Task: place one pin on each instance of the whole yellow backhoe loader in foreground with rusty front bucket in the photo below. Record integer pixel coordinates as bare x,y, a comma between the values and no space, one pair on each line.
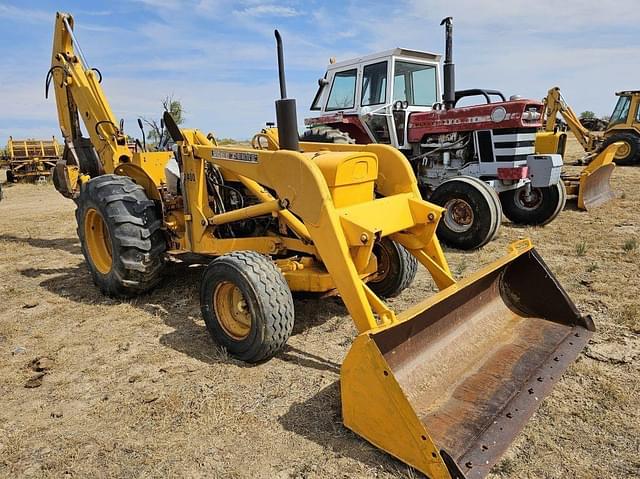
444,386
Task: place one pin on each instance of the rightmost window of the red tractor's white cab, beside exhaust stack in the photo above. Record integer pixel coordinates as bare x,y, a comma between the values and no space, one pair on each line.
415,83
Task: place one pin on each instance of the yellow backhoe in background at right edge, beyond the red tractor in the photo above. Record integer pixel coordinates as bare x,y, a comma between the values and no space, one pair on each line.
620,142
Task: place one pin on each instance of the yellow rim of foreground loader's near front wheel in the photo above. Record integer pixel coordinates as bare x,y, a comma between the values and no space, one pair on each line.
231,310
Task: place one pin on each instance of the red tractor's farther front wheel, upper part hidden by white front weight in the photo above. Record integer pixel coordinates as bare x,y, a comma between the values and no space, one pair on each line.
535,208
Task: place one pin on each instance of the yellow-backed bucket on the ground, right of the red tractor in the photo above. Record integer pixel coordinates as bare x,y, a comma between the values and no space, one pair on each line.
592,186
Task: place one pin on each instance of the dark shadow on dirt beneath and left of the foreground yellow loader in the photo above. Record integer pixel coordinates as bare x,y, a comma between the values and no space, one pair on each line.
176,302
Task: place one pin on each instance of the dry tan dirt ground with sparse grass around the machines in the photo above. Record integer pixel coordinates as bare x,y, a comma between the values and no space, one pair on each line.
138,388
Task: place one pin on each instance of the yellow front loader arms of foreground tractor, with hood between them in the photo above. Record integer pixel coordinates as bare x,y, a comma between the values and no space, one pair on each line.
342,222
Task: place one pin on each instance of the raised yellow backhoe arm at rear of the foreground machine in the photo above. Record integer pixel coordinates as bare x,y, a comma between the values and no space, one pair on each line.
79,95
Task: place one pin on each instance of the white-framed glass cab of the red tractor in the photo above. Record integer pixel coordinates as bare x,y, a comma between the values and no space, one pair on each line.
376,94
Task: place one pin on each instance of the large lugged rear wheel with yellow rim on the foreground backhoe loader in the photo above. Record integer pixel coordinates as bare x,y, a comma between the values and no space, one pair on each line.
120,235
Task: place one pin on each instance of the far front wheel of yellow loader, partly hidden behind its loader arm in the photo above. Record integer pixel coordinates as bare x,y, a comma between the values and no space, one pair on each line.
396,269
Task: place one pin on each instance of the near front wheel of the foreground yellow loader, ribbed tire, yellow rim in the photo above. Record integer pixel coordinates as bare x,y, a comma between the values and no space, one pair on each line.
247,305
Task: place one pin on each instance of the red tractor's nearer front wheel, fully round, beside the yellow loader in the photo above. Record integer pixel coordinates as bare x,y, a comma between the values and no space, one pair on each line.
472,216
